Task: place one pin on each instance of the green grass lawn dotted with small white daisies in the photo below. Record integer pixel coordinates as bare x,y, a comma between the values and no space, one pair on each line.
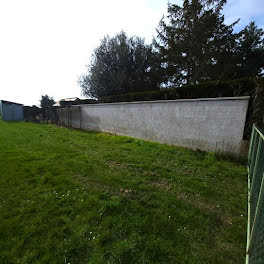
69,196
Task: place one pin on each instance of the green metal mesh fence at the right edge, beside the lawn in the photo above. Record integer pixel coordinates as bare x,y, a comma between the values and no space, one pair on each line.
255,232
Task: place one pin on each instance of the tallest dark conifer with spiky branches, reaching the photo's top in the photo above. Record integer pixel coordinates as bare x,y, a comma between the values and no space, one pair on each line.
194,43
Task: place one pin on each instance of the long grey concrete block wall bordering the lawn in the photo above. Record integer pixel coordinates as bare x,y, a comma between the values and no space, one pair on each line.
208,124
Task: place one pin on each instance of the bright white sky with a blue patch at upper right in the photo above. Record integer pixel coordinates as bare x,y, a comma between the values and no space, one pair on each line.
45,44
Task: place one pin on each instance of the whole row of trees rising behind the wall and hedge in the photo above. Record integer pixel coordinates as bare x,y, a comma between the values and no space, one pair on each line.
193,45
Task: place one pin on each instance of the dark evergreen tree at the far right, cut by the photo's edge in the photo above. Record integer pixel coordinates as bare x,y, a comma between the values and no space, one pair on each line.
250,52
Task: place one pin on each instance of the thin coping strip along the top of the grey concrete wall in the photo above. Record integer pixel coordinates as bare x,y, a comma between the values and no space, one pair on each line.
171,101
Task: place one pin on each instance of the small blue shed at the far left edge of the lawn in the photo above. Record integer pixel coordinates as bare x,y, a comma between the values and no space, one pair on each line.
11,111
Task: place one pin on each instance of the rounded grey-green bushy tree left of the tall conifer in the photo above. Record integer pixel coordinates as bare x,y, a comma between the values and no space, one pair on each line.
119,65
